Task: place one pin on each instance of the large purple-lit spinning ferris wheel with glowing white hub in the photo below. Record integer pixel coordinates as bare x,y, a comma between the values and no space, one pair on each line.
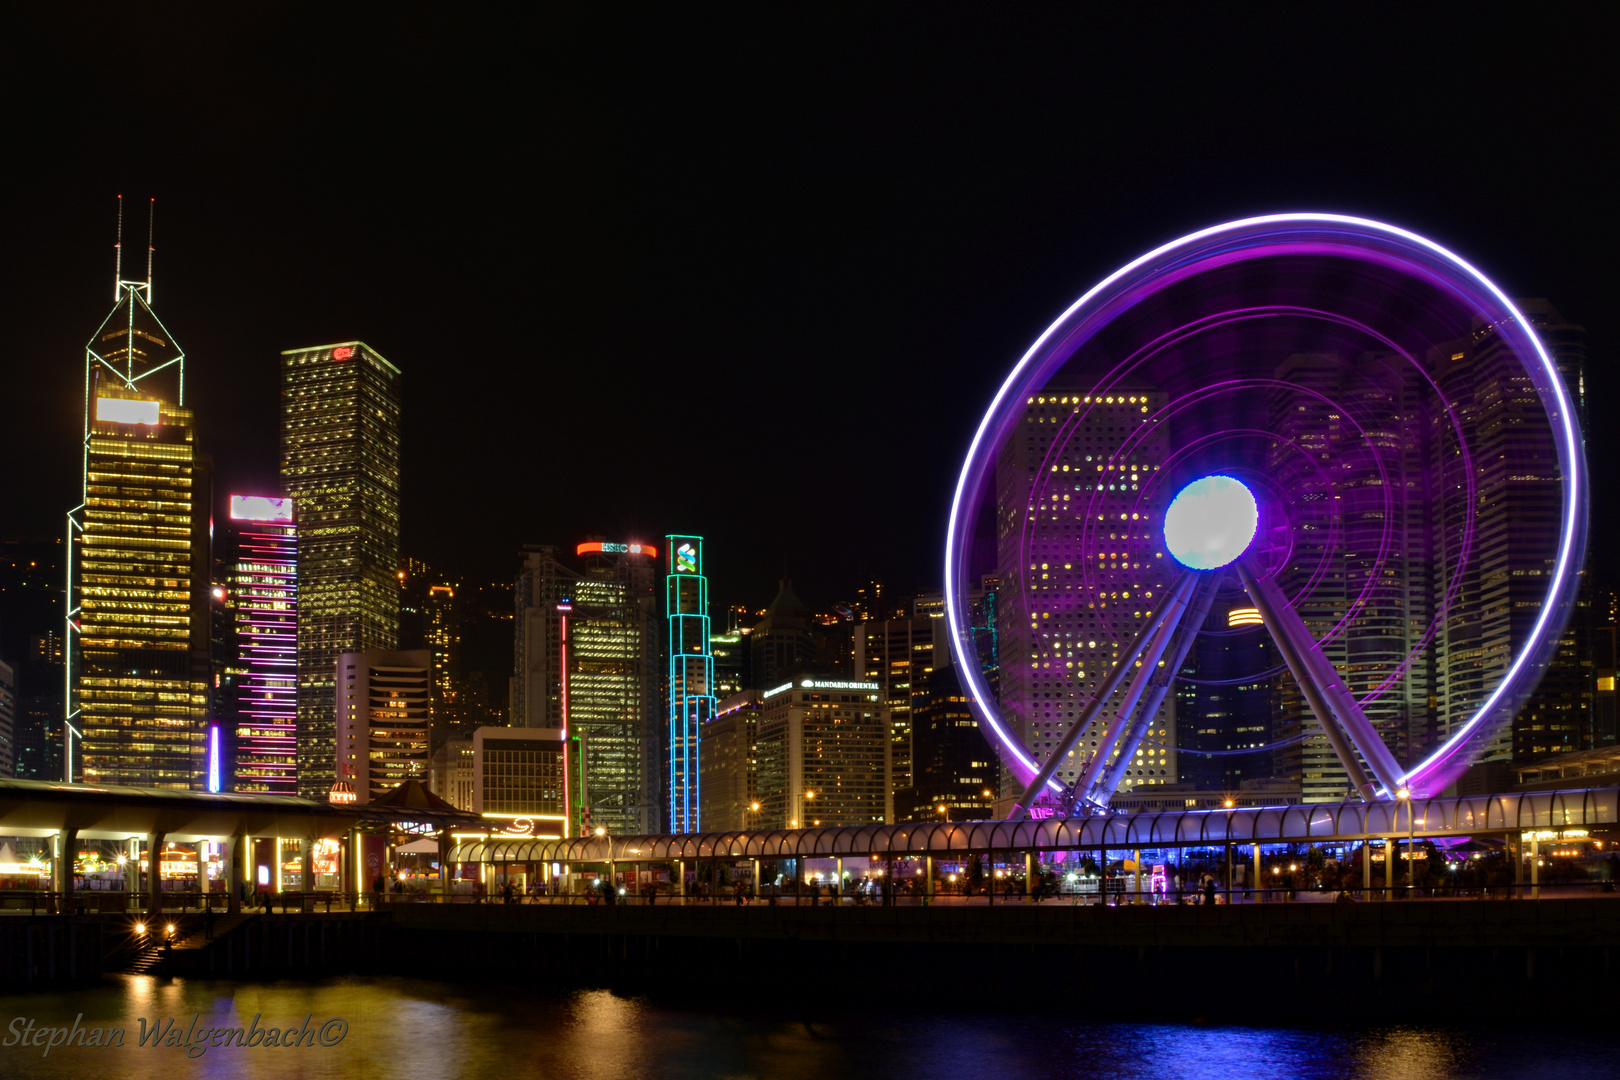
1324,425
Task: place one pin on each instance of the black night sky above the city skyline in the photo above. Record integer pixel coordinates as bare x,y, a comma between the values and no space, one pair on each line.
738,273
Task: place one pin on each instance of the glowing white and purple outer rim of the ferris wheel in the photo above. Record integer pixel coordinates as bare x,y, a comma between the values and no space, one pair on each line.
1572,464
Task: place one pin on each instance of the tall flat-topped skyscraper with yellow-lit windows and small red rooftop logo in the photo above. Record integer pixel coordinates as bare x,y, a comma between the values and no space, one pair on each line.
341,466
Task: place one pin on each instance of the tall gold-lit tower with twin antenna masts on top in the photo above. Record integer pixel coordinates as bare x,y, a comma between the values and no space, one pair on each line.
139,561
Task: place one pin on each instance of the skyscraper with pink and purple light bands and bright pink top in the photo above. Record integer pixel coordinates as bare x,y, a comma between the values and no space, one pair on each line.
257,686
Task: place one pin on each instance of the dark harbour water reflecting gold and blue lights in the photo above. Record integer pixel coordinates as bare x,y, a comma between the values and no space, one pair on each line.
406,1029
